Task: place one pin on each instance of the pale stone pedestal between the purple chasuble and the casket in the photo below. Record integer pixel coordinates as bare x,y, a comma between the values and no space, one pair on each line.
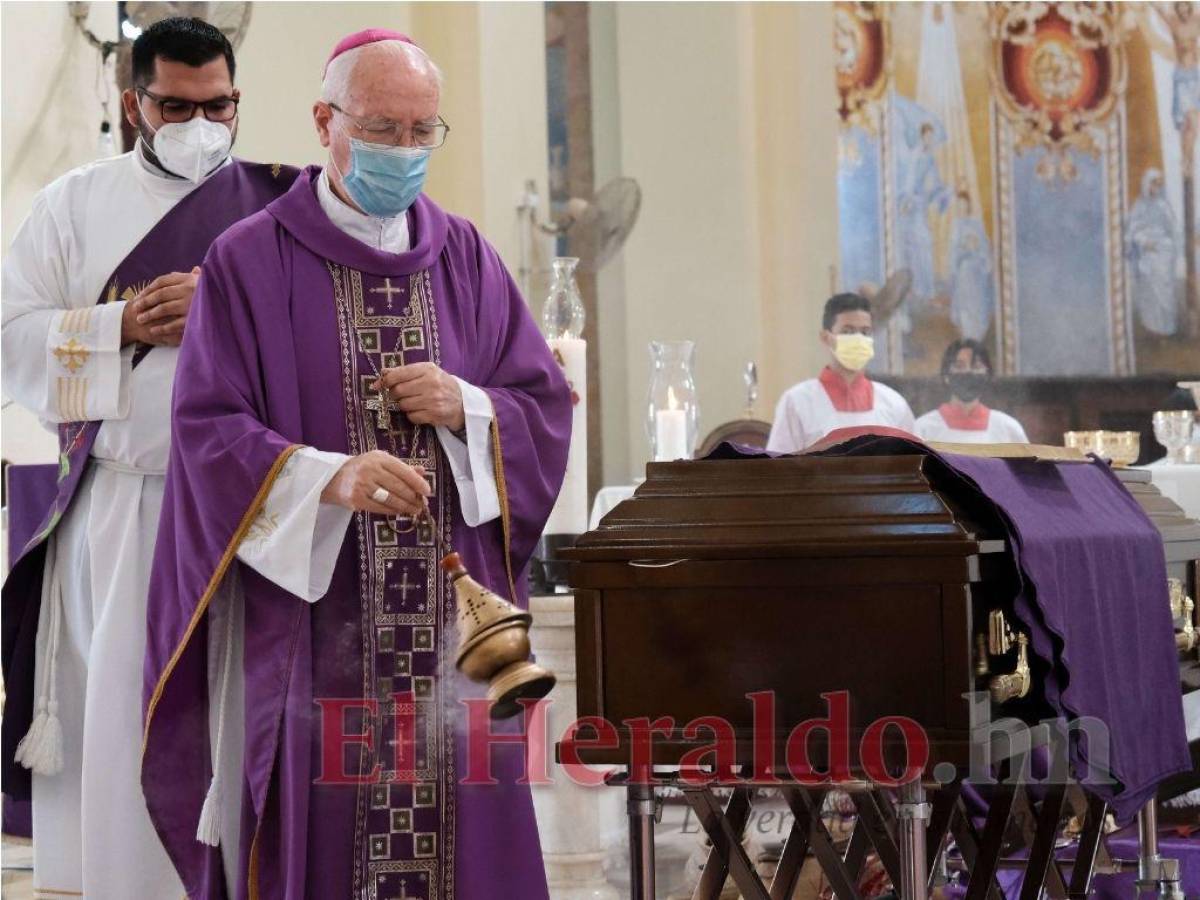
569,817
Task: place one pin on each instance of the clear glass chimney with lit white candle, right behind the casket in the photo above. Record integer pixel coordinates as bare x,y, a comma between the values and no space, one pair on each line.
673,411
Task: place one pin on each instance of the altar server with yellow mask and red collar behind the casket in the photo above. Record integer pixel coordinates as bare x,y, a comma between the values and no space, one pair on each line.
842,395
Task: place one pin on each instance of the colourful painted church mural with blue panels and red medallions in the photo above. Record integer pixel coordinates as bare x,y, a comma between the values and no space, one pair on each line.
1023,175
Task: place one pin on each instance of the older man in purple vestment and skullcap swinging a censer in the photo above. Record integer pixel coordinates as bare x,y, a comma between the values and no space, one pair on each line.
361,375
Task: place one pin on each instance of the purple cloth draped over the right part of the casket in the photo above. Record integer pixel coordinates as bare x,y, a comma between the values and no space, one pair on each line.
1094,599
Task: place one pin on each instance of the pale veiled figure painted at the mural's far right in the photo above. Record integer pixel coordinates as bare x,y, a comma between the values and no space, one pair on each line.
1151,250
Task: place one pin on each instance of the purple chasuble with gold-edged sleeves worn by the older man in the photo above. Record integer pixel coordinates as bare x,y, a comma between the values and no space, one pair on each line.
291,322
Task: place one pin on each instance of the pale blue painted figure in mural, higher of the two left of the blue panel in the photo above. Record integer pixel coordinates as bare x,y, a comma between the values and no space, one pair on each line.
922,191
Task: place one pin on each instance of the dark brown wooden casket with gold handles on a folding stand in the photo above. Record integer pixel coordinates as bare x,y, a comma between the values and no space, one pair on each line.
872,578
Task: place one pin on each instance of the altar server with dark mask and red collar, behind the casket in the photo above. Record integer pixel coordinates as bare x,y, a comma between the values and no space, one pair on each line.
964,419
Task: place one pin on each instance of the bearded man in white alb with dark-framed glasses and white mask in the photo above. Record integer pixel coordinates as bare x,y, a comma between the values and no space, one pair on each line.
98,291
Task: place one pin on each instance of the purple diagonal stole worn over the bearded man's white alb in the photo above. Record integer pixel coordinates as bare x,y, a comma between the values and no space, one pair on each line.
177,243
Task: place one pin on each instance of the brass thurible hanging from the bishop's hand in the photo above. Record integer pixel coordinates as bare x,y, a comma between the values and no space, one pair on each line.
494,645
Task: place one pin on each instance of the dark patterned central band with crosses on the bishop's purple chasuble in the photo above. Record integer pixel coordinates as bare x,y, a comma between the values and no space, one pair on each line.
404,613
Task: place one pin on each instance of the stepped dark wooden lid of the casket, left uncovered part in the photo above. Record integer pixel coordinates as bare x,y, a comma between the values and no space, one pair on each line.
795,506
